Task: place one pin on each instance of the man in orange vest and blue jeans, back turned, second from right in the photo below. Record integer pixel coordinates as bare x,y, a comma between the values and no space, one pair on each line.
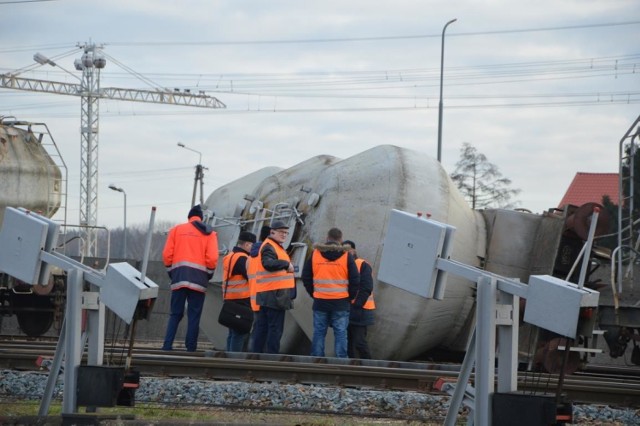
331,277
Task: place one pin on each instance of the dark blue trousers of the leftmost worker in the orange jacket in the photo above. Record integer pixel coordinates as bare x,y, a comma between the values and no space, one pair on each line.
194,300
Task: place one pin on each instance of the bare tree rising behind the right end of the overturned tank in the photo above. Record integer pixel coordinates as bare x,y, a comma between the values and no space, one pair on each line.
481,182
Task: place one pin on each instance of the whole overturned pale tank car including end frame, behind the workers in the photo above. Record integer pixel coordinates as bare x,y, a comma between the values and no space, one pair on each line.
357,195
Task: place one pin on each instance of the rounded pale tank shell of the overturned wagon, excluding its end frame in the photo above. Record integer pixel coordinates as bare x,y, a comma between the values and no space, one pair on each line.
356,195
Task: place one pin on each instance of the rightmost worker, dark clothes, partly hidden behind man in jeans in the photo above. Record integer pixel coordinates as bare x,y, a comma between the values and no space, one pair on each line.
361,317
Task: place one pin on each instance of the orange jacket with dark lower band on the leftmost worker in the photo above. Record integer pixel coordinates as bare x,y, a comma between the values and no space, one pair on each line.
190,255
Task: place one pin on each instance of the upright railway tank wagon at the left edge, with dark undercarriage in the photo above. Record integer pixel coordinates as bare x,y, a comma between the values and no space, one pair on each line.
32,179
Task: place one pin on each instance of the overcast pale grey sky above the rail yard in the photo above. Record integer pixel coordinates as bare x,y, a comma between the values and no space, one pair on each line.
544,89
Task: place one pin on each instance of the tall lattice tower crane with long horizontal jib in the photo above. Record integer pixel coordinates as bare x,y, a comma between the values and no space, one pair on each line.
88,89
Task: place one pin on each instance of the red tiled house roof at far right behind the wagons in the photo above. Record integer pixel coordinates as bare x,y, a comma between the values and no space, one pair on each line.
590,187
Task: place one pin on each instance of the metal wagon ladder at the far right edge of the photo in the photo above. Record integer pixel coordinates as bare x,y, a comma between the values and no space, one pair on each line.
627,249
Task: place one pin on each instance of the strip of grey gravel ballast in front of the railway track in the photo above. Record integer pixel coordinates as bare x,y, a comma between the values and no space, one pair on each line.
316,398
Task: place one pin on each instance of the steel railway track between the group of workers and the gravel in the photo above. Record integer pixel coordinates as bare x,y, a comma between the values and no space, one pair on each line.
595,385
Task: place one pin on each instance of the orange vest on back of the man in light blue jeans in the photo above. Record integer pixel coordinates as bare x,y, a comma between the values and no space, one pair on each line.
330,277
